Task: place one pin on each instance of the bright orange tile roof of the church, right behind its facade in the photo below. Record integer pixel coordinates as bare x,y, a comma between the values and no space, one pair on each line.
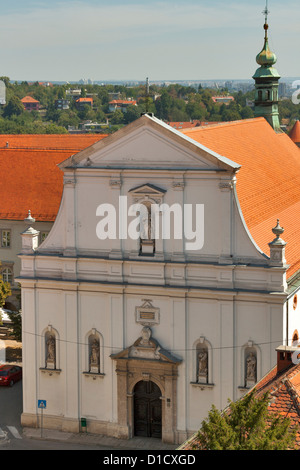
268,183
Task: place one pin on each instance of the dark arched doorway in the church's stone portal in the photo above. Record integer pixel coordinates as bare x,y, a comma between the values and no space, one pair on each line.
147,410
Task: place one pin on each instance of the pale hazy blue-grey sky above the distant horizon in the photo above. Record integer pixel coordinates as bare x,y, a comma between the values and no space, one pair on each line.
68,40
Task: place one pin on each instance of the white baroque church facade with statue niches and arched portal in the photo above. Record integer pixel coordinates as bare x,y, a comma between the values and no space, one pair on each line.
142,337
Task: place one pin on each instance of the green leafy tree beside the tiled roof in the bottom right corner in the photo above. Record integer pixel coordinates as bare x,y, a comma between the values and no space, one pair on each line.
246,425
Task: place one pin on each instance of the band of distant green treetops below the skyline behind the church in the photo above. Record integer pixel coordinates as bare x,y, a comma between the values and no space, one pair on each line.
170,103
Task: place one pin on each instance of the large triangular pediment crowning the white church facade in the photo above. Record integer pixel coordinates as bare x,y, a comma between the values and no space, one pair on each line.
148,143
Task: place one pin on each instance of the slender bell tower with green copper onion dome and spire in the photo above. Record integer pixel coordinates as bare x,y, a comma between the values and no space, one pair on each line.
266,82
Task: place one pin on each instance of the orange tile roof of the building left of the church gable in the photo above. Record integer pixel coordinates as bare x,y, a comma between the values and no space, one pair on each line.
31,179
